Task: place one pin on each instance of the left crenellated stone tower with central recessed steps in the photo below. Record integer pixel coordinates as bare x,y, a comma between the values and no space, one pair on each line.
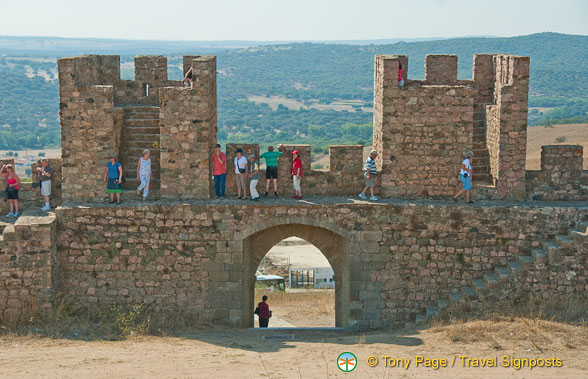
102,114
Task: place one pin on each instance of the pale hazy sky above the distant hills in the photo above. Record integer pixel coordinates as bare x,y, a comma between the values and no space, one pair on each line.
289,20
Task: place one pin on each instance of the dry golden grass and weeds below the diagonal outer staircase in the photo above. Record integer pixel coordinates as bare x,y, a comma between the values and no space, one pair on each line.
544,324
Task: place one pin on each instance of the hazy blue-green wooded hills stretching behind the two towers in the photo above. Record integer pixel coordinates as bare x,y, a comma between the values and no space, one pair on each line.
327,88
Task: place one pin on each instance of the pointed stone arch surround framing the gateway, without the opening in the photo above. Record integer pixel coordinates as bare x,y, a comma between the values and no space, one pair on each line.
259,239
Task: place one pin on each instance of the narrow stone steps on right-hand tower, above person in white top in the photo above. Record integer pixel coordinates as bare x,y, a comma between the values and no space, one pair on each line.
481,163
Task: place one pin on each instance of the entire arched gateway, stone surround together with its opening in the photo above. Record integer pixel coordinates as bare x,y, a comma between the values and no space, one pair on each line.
331,246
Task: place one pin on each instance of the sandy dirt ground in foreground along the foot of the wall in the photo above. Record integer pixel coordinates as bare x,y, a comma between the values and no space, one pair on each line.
223,353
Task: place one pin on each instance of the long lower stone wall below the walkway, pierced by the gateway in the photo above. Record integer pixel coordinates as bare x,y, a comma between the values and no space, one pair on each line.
393,261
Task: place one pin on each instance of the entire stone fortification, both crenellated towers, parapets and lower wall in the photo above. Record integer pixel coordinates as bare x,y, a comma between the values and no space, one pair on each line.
395,262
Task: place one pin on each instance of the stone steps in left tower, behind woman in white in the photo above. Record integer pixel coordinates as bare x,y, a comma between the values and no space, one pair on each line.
140,131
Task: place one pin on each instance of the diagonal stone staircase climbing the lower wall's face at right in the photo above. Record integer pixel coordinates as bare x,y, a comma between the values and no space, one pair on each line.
493,283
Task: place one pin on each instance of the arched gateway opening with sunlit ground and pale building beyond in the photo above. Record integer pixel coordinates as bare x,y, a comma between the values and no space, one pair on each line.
299,283
